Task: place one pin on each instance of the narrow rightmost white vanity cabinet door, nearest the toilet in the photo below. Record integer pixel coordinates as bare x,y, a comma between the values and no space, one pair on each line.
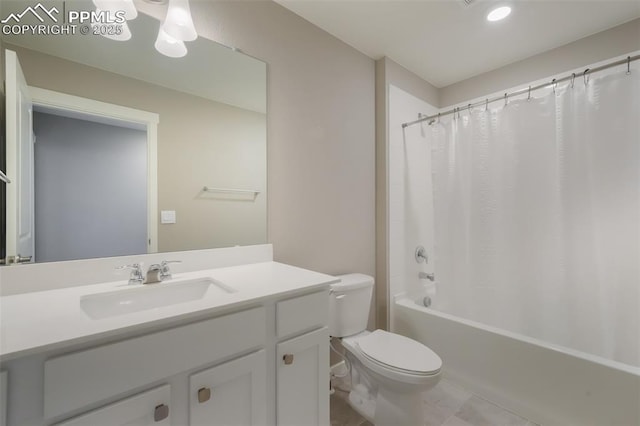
303,380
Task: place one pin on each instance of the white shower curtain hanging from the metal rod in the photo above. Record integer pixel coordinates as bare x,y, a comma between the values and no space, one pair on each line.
537,215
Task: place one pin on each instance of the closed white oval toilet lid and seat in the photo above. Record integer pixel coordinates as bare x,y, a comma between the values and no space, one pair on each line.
399,353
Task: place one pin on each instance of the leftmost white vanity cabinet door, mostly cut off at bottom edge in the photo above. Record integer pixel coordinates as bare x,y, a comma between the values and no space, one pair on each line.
144,409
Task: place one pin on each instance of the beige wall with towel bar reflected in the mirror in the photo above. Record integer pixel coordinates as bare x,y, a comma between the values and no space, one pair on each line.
200,142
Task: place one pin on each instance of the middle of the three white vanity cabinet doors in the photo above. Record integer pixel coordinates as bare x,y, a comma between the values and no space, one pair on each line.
230,394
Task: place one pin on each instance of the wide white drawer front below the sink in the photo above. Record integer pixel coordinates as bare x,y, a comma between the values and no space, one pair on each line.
78,379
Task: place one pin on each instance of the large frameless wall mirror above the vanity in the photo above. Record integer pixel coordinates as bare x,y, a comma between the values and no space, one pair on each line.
133,151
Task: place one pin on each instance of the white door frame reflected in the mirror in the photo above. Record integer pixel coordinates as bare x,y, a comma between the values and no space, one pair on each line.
109,113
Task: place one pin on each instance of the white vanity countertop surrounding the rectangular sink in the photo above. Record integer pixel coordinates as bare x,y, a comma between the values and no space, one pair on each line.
36,322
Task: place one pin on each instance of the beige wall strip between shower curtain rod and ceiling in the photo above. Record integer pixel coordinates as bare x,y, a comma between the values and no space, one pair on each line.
598,47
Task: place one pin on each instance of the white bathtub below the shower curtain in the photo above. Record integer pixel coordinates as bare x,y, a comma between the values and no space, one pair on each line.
548,384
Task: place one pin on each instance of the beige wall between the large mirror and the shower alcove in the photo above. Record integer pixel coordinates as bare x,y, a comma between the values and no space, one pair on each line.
321,133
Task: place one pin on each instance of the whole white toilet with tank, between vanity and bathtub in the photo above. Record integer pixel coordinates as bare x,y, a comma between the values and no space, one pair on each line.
389,372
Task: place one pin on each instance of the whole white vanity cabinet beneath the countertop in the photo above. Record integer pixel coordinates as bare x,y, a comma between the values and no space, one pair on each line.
263,363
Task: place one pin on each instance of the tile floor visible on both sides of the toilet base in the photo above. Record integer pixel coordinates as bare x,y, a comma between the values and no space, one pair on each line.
445,405
